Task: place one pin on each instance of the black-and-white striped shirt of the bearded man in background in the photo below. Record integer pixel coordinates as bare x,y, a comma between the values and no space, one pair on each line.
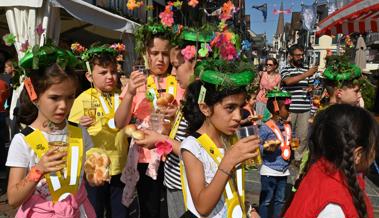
300,98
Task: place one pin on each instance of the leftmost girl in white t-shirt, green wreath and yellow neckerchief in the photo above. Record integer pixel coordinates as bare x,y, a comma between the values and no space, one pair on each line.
46,158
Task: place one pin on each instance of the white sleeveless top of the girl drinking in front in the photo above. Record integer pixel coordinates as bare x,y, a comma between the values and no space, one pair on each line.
210,168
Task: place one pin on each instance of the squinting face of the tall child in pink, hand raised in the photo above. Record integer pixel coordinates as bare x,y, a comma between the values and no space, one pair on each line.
159,56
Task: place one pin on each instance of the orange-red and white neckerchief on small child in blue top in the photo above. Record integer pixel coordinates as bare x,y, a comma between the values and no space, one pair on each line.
284,142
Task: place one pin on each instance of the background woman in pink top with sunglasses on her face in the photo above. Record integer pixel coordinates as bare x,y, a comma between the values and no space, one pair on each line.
269,79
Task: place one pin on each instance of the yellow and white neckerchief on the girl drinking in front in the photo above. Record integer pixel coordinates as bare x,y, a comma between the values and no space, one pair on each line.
235,201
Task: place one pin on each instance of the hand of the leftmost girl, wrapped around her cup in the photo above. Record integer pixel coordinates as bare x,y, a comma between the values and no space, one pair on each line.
51,161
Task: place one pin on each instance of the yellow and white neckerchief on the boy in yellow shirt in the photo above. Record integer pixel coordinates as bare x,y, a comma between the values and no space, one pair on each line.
108,109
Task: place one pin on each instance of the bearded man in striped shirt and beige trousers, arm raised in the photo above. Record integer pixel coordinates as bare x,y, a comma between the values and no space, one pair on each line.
295,79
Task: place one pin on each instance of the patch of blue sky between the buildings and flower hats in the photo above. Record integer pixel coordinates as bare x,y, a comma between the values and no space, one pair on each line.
256,17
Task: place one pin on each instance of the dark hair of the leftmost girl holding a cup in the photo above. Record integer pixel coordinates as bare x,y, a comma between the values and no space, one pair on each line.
41,79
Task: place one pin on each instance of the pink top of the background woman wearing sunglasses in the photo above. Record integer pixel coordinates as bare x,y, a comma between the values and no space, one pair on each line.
267,82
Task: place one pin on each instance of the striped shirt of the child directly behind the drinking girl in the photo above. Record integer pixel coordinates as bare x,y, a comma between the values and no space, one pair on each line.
172,167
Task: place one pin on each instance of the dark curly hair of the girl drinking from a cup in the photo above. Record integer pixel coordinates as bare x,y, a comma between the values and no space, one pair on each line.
191,110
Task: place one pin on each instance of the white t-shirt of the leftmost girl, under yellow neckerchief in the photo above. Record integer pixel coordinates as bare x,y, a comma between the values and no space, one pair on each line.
21,155
